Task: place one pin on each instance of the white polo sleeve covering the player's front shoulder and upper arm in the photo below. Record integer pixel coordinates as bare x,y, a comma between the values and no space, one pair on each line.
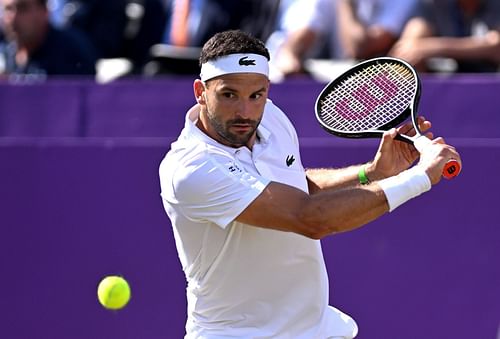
214,188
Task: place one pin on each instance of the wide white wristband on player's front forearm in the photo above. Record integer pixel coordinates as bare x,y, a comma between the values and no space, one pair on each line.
405,186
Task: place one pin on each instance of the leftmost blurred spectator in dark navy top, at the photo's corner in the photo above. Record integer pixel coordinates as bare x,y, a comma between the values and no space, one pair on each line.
33,46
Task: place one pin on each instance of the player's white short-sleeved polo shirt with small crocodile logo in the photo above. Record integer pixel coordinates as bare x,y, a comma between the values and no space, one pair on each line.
244,281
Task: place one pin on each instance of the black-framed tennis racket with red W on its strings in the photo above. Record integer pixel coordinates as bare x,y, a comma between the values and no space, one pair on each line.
372,97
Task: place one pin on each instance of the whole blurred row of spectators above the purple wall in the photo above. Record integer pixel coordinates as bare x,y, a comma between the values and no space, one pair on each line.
107,39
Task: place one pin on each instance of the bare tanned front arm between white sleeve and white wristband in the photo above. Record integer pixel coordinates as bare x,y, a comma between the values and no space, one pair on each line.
285,208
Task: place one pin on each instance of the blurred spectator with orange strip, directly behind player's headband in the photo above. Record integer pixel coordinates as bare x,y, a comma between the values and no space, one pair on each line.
191,23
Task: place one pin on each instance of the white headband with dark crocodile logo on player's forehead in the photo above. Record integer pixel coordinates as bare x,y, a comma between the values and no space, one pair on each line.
235,63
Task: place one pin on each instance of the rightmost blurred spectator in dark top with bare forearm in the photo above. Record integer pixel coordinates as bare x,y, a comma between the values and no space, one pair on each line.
453,35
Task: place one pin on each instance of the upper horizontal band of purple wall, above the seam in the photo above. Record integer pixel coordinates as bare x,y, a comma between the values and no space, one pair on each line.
154,108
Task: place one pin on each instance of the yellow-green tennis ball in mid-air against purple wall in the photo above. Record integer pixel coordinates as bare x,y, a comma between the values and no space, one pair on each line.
113,292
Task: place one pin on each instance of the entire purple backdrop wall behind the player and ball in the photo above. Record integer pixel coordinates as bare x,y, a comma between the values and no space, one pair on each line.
76,209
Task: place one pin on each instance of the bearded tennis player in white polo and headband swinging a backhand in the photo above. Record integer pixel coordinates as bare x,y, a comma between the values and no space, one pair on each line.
247,217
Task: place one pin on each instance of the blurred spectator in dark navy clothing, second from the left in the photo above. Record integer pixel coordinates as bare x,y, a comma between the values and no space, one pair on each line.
118,28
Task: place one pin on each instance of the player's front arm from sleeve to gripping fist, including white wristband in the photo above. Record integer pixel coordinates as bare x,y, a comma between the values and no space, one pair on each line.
337,208
